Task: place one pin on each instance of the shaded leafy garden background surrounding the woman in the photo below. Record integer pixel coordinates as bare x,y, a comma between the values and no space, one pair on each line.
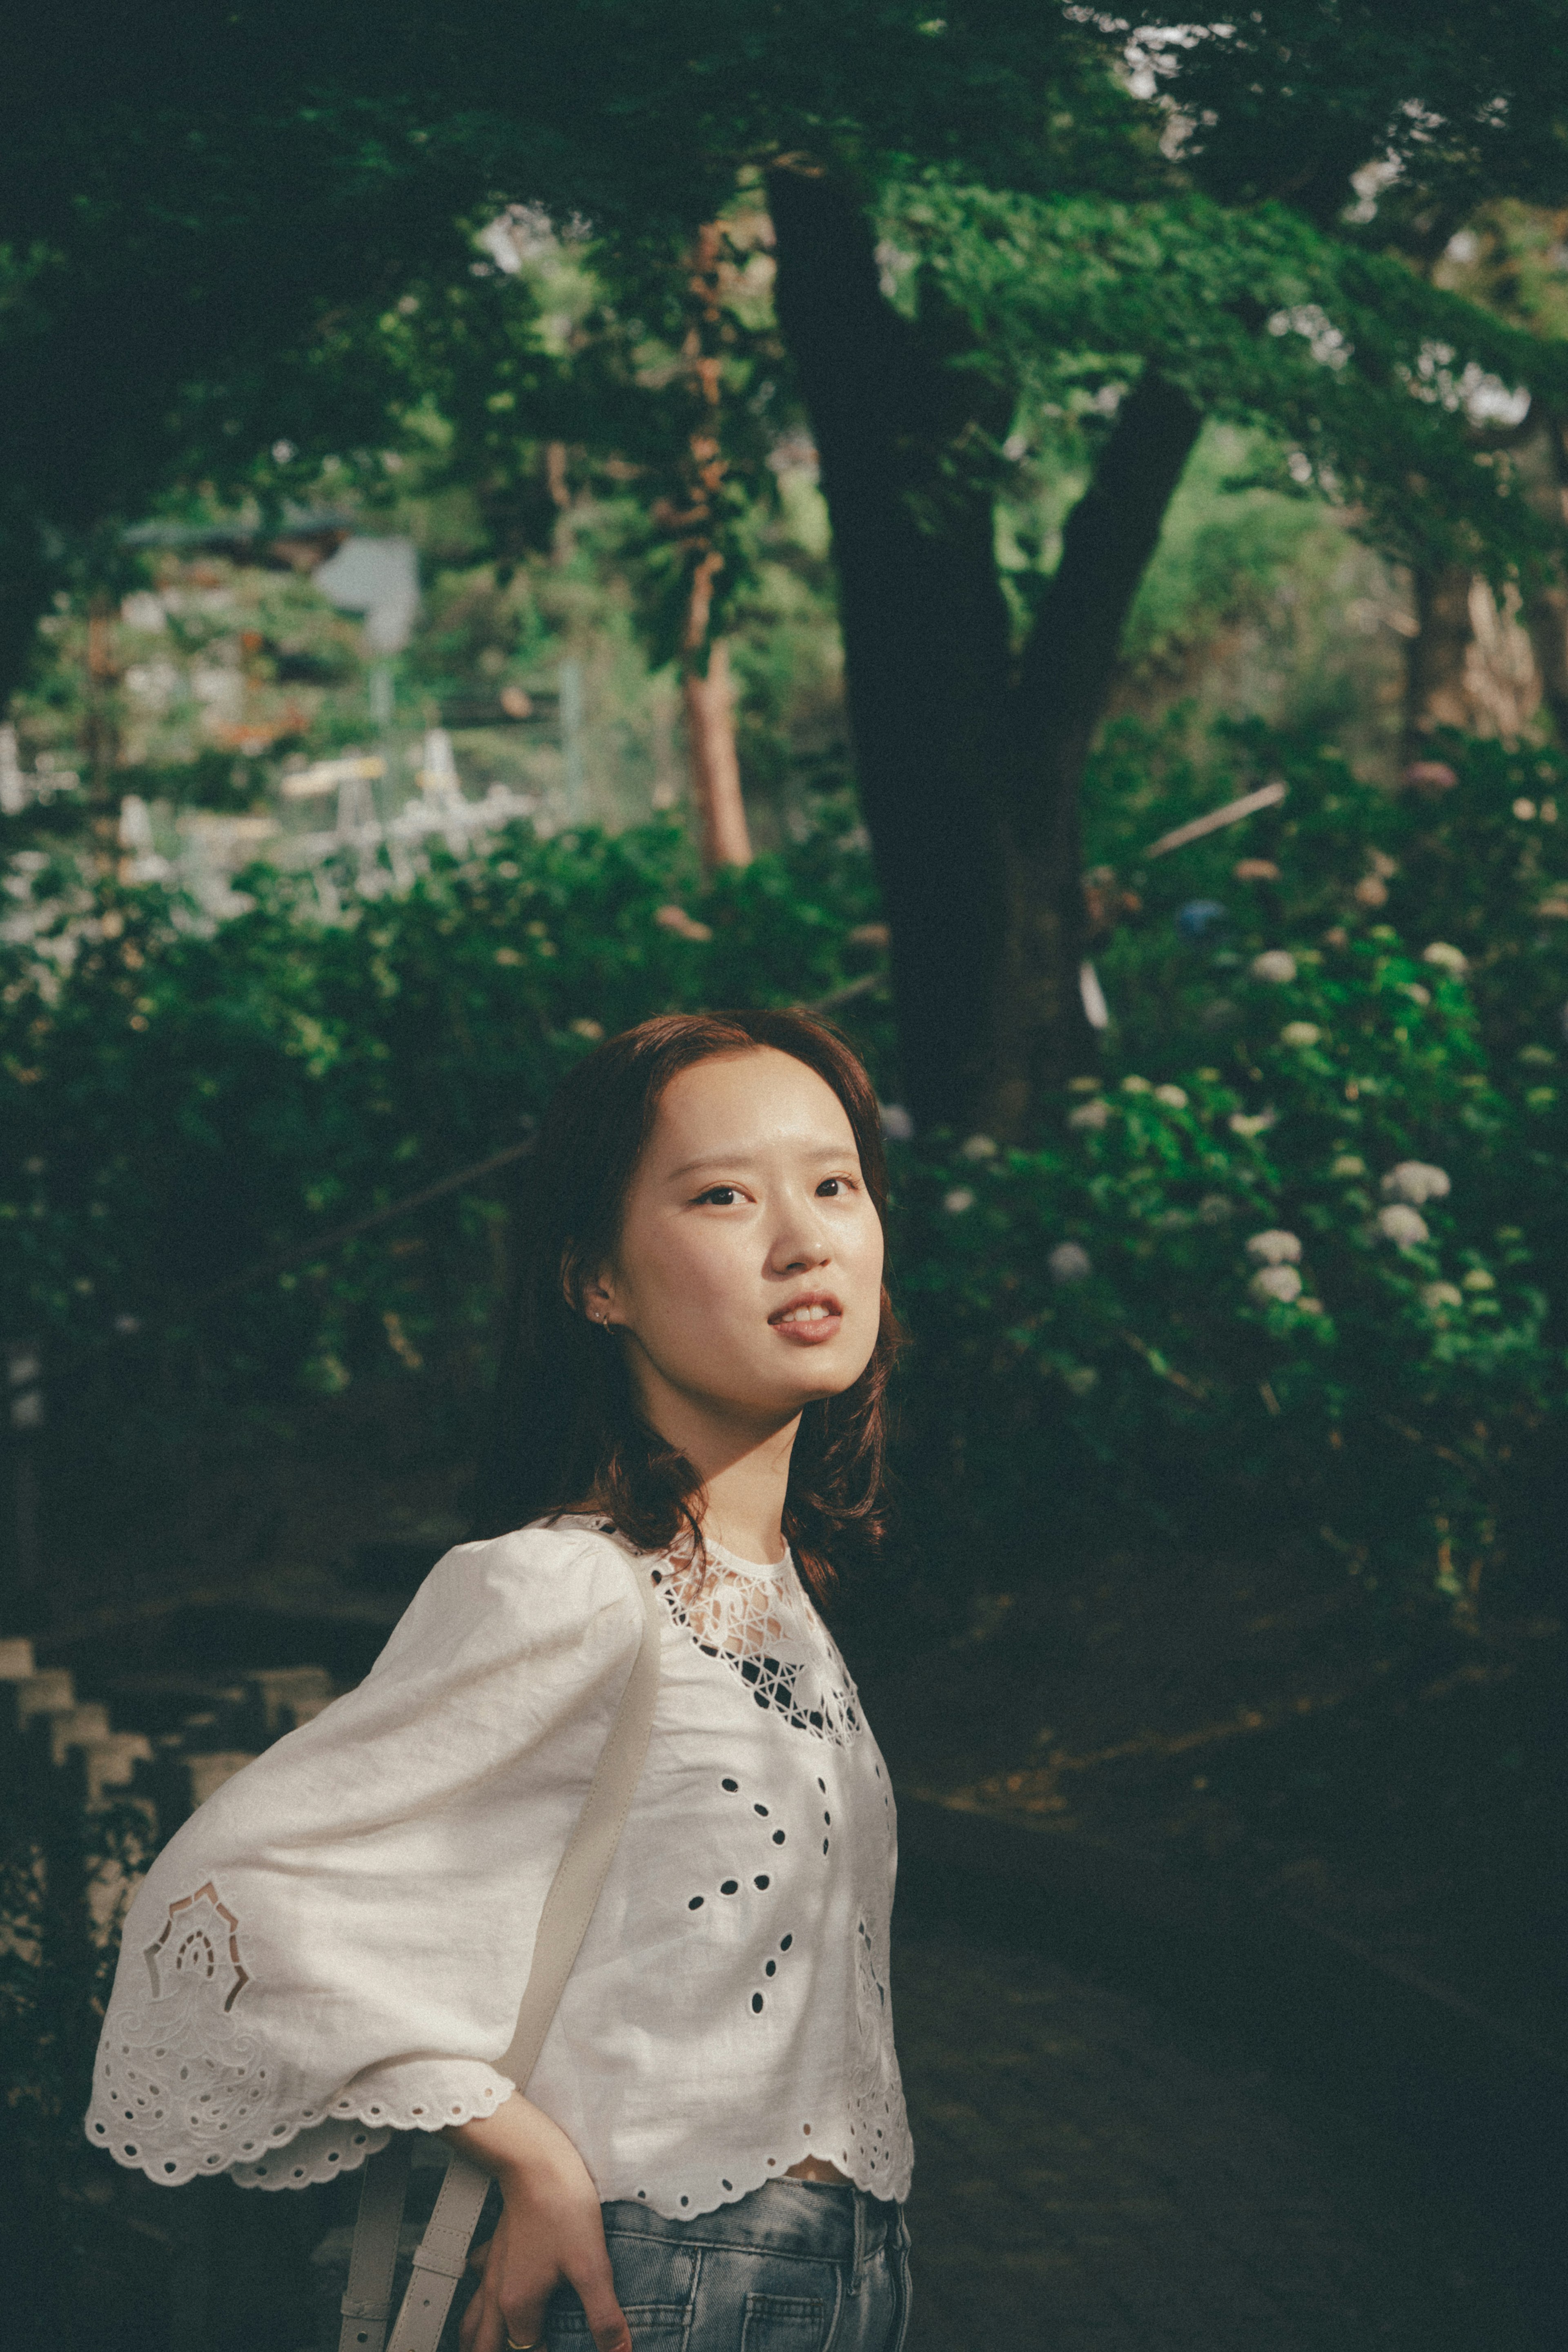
1045,542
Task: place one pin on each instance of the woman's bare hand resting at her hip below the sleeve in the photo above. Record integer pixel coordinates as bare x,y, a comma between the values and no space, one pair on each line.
551,2231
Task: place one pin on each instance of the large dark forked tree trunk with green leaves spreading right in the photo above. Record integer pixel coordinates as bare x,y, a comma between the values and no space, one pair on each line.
1249,281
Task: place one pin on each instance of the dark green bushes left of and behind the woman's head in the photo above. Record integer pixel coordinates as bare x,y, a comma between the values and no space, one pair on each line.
185,1104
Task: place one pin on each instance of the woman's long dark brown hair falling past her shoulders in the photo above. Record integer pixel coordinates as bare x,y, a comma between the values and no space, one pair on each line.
565,1426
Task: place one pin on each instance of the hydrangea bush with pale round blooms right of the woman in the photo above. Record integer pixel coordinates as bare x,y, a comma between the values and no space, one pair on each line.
1292,1259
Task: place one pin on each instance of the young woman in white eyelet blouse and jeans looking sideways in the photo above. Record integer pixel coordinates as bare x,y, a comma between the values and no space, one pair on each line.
713,2149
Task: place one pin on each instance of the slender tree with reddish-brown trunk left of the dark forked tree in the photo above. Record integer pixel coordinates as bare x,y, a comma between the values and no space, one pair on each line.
558,366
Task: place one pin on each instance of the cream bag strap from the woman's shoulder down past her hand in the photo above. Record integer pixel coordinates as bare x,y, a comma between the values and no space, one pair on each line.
570,1906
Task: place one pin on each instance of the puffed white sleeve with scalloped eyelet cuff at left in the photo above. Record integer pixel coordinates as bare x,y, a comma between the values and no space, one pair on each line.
335,1946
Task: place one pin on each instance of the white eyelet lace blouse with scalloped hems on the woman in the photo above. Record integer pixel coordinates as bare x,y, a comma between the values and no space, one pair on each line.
337,1942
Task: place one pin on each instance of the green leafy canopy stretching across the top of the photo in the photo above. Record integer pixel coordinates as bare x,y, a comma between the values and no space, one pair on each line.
279,250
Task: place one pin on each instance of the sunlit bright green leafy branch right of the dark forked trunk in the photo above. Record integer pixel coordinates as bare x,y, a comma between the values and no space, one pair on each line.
1266,321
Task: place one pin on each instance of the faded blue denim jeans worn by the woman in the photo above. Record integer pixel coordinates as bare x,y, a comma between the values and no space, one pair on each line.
798,2266
